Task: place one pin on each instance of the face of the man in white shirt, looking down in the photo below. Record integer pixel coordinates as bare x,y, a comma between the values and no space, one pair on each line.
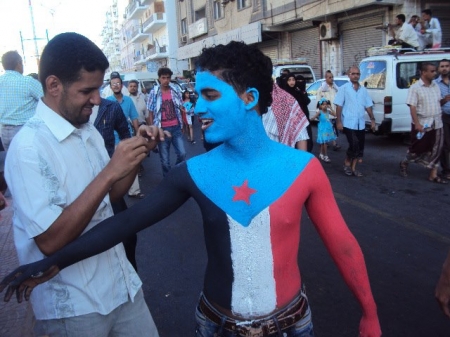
77,99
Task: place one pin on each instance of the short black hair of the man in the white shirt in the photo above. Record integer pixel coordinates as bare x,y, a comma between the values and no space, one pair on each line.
67,54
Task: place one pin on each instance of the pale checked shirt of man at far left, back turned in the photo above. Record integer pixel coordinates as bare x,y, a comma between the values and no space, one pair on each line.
19,96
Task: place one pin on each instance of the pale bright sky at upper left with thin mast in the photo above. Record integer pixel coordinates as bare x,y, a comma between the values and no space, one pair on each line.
86,17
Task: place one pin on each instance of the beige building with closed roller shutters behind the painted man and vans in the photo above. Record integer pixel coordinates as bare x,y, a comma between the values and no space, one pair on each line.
328,34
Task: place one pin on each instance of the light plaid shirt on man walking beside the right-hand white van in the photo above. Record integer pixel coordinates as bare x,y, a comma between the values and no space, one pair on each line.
426,99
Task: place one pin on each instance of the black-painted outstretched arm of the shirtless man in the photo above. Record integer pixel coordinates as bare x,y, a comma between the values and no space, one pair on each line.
163,201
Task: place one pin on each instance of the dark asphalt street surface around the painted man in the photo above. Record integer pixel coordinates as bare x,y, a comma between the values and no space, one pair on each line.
400,223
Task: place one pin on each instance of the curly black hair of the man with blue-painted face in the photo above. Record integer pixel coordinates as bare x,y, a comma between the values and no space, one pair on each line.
242,66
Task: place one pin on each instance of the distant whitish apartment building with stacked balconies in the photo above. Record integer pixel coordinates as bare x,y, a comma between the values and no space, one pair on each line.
139,37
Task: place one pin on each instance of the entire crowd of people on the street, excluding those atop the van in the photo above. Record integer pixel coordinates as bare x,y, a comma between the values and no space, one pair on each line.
70,236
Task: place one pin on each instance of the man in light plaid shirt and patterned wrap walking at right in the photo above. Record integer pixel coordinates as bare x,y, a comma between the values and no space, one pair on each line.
427,134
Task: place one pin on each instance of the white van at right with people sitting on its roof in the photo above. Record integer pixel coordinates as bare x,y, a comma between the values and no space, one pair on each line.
387,75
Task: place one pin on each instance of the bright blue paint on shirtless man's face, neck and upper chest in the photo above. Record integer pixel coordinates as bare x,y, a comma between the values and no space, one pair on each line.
246,157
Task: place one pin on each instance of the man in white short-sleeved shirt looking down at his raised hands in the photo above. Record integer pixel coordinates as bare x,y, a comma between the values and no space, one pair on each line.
63,181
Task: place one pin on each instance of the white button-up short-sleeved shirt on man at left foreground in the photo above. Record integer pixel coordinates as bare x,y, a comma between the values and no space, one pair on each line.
49,164
